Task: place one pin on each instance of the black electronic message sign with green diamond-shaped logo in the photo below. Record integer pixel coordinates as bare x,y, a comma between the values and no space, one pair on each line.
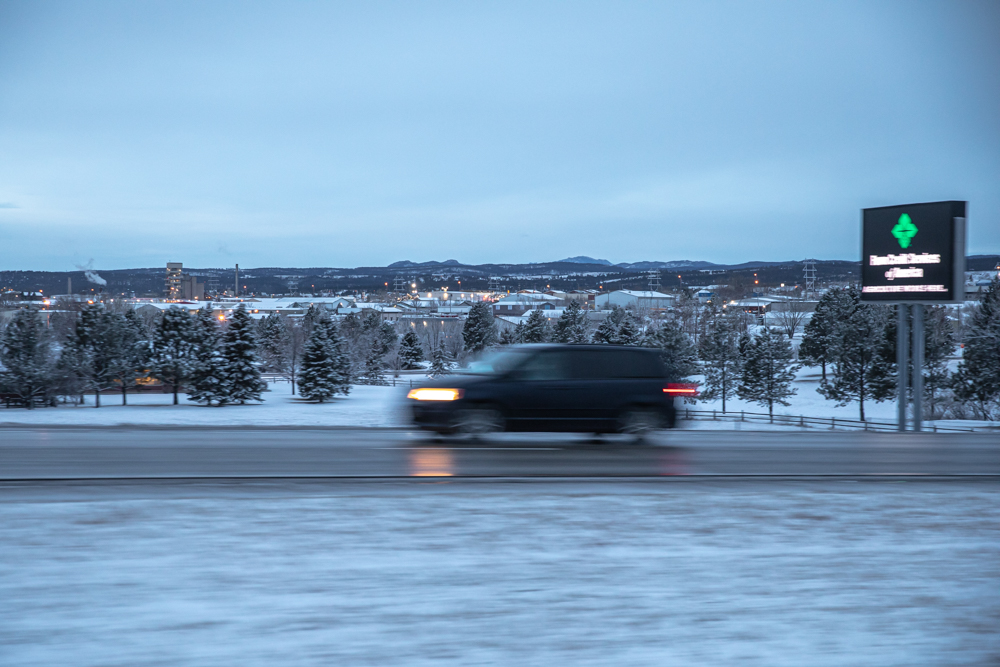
914,253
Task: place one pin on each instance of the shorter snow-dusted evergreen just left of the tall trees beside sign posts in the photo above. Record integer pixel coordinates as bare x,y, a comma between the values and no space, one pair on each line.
767,371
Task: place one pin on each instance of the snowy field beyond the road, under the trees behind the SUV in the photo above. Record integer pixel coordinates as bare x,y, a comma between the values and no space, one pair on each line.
381,407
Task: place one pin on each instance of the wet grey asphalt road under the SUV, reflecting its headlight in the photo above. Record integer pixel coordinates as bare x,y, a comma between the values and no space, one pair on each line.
120,453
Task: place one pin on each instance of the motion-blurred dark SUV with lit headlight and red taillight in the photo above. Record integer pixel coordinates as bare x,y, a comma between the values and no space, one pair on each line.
574,388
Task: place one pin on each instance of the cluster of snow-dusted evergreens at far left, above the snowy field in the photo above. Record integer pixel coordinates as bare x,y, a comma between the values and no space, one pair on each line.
104,350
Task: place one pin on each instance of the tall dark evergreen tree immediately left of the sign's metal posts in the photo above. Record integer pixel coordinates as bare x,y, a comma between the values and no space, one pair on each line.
862,355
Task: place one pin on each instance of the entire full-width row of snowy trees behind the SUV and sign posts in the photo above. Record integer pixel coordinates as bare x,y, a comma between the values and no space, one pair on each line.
852,343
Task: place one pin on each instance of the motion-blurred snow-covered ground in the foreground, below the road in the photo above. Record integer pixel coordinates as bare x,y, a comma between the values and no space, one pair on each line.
680,573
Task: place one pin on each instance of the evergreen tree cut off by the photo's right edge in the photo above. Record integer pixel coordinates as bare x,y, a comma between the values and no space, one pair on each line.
977,380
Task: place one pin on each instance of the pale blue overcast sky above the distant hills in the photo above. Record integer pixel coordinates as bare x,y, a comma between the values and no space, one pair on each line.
362,133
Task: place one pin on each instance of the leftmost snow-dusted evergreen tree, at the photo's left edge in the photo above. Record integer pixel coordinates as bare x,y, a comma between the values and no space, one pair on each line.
26,367
